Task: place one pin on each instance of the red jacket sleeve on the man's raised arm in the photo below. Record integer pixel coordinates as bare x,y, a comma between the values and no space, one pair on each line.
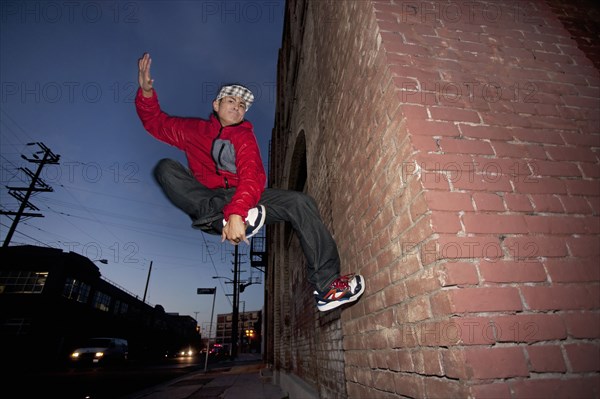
168,129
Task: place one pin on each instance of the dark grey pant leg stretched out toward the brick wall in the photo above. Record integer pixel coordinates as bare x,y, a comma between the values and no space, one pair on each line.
317,243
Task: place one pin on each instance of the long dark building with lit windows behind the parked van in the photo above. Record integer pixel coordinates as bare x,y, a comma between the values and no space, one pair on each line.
51,301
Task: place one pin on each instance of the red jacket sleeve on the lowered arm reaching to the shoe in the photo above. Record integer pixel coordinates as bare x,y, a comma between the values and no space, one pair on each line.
251,177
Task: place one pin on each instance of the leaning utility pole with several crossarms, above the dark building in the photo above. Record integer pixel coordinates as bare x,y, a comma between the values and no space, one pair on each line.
36,185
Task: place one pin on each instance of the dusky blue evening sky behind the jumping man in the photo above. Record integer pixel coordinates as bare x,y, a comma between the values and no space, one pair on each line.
68,75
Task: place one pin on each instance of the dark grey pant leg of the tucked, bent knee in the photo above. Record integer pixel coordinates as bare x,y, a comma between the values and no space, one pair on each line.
203,205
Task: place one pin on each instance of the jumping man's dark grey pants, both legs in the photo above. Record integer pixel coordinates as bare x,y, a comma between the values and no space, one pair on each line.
205,207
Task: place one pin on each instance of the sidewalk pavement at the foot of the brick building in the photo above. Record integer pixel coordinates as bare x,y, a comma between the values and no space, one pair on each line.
247,378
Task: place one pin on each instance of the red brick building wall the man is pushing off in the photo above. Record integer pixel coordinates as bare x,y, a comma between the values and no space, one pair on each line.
453,150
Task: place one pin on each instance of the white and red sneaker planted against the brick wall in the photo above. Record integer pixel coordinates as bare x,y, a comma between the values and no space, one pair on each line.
343,290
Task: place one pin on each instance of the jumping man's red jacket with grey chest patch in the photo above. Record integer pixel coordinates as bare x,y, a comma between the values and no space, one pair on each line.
219,157
